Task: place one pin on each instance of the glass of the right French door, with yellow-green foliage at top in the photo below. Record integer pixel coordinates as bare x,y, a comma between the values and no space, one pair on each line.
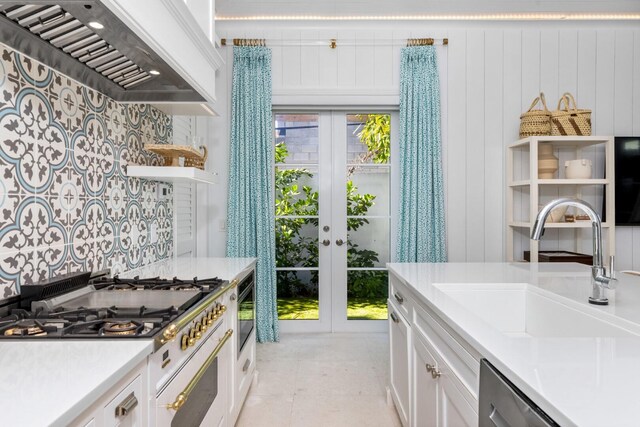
368,182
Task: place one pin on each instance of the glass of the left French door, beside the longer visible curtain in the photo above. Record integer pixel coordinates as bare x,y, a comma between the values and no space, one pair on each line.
297,208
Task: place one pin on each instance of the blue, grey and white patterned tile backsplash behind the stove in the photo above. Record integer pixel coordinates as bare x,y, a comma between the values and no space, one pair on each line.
65,202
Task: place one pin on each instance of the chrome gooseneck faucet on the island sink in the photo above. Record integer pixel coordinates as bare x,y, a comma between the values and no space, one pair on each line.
599,278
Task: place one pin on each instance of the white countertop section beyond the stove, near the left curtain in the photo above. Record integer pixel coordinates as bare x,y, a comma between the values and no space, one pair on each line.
188,268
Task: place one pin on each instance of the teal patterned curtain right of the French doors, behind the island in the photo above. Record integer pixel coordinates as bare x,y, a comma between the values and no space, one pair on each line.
421,230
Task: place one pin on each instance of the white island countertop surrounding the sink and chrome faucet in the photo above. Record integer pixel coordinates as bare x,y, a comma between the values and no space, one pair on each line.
577,381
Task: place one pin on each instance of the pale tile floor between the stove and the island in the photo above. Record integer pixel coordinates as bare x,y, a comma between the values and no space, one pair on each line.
332,380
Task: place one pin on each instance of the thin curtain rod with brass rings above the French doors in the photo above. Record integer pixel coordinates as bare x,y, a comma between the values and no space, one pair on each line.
333,43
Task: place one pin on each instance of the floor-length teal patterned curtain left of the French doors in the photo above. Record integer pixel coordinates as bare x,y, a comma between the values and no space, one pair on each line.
250,217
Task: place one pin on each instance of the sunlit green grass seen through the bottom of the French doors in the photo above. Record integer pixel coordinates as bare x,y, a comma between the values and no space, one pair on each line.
307,308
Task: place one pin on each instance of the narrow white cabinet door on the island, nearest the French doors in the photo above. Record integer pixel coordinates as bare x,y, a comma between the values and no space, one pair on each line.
399,341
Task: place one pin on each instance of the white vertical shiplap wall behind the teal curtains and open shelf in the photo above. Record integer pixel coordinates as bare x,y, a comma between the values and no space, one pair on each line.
490,73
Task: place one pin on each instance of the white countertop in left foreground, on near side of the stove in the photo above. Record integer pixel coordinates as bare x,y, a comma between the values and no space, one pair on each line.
51,382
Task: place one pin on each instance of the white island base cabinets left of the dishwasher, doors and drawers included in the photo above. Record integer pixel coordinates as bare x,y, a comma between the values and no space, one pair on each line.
434,376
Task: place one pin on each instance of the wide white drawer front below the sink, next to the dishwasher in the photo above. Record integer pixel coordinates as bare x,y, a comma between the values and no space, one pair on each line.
463,364
